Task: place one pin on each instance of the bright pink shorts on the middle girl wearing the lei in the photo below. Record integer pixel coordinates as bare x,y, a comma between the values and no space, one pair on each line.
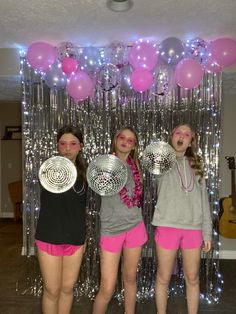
133,238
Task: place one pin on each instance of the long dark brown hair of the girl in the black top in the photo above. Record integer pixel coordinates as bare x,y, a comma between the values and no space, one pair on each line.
80,163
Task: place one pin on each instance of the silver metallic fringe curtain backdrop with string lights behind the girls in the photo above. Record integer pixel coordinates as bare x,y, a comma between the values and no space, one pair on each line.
152,114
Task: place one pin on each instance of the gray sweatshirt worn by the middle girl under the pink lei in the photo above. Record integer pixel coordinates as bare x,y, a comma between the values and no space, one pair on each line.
115,216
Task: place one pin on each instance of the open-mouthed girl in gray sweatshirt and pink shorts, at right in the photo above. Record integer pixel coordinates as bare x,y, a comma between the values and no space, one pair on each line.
183,220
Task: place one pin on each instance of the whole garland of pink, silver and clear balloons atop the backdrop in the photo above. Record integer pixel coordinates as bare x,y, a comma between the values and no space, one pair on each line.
81,69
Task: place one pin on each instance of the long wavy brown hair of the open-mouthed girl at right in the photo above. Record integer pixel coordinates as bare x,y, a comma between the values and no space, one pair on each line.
191,152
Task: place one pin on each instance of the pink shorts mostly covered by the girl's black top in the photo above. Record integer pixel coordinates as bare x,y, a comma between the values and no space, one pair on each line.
57,249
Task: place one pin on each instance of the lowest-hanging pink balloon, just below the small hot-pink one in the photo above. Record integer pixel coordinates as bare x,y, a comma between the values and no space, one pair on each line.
80,86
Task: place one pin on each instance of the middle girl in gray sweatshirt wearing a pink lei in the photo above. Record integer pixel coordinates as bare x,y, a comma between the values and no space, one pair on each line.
122,228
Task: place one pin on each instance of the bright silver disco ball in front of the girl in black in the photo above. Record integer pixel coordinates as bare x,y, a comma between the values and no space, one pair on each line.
57,174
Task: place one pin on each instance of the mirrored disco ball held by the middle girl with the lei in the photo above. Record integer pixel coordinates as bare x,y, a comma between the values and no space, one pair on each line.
107,175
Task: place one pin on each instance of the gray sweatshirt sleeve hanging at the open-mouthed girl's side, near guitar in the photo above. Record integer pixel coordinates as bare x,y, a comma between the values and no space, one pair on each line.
207,220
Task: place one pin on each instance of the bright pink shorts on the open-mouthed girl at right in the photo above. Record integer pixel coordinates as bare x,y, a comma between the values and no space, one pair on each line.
174,238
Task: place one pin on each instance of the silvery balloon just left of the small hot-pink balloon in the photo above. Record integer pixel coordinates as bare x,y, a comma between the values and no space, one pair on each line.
54,77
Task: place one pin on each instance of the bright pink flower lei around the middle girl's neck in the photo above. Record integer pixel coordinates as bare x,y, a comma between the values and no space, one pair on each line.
135,199
